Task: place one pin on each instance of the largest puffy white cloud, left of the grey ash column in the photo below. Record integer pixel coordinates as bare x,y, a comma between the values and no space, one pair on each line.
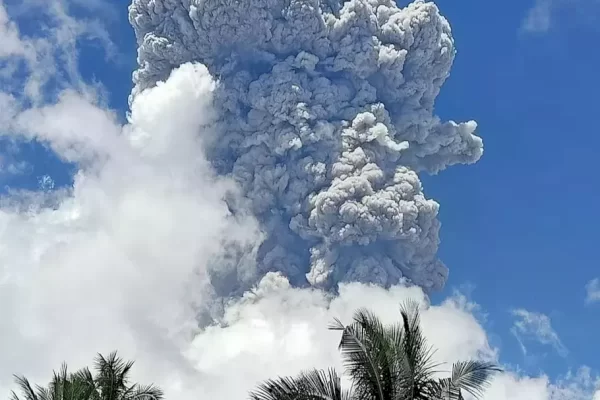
119,262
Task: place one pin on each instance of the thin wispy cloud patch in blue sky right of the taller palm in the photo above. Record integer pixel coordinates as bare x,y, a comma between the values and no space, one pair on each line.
538,327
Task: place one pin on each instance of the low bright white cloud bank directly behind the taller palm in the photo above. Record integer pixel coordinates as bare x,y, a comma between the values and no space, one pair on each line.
283,330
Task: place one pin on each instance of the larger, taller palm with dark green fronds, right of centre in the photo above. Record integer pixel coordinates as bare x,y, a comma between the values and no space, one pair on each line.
384,363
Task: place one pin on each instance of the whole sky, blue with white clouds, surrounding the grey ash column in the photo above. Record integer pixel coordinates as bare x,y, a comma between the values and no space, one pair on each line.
517,226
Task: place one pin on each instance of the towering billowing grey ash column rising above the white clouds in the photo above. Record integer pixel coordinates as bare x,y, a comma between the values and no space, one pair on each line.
326,116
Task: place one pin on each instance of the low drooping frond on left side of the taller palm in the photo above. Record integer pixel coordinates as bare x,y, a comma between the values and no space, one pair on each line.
309,385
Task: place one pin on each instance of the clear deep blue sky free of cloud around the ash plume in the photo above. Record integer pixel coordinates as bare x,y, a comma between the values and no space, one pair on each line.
518,227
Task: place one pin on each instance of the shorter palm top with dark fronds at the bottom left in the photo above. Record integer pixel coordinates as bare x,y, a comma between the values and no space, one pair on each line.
111,382
